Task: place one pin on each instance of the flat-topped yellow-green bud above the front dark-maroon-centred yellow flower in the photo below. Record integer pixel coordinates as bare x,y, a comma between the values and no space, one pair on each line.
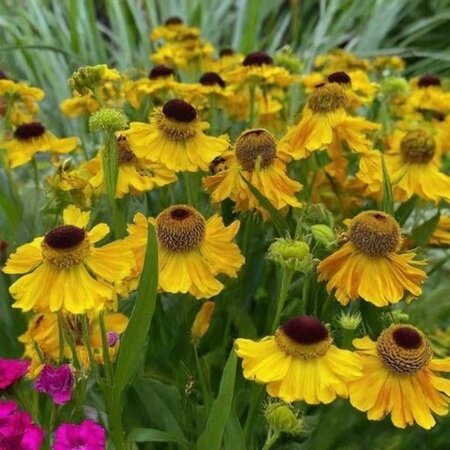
291,254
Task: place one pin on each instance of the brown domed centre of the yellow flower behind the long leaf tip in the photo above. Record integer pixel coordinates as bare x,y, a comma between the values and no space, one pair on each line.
180,228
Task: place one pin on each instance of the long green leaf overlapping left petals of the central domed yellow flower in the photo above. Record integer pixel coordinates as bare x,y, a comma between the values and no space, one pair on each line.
141,317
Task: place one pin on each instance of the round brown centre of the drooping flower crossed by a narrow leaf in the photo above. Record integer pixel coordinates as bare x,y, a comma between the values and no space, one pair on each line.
254,145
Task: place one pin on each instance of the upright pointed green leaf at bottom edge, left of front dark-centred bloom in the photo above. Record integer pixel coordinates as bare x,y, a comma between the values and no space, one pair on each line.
211,438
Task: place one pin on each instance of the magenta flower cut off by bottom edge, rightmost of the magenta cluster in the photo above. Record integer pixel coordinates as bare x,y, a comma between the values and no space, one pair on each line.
87,435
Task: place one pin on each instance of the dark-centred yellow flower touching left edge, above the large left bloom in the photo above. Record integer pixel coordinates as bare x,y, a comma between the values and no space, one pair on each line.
31,138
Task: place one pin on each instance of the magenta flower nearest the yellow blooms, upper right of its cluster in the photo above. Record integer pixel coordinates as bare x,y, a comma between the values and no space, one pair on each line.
56,382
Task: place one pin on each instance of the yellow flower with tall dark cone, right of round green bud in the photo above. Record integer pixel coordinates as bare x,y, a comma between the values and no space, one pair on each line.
175,138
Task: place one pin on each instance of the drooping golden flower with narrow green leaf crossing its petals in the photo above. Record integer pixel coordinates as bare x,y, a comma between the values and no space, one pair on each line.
256,159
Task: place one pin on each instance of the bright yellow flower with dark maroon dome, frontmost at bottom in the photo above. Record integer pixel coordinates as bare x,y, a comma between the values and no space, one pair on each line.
300,362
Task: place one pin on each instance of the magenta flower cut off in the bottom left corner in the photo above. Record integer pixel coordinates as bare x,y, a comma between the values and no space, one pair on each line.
17,431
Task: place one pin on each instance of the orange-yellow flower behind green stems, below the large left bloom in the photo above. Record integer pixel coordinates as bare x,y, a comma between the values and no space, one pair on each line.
43,334
